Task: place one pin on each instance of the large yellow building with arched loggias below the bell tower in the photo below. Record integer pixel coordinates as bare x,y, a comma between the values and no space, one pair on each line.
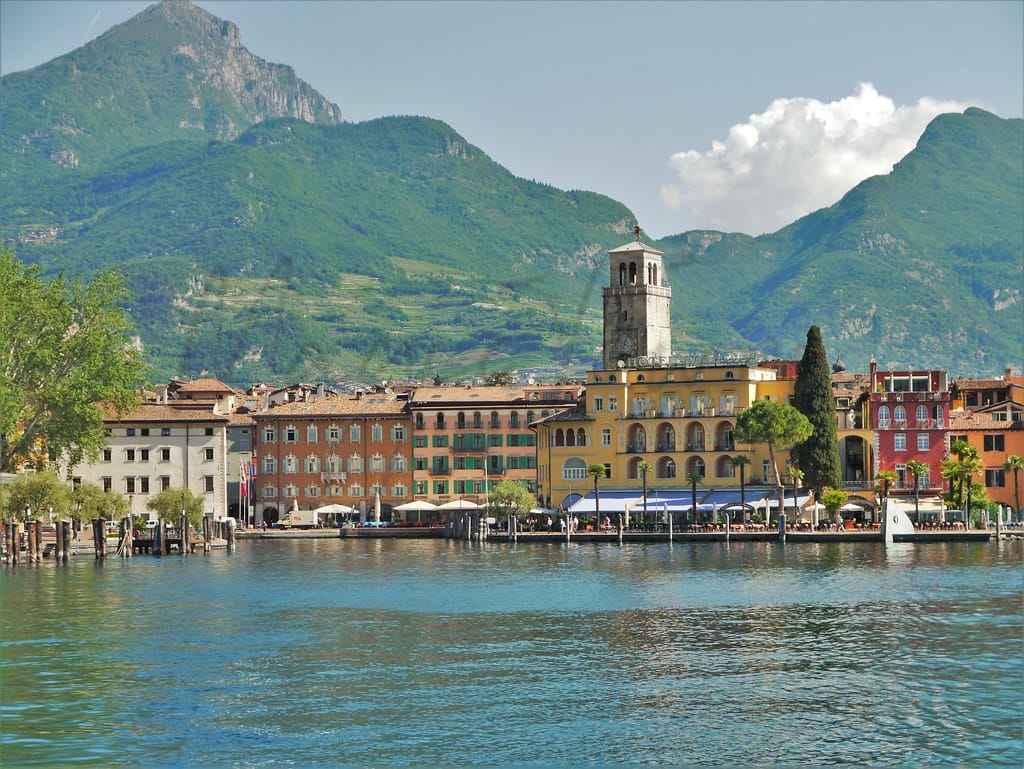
678,419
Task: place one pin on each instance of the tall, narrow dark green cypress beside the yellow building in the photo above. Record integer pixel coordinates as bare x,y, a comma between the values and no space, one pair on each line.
813,396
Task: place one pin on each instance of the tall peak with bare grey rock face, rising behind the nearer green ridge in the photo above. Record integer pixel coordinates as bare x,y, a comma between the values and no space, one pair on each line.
173,72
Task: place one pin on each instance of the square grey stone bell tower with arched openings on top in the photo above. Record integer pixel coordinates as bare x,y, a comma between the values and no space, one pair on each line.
637,305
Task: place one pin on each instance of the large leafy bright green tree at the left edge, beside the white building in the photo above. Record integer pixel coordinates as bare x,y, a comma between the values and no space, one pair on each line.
65,354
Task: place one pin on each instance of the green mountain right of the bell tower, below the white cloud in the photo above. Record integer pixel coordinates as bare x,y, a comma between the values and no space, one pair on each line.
923,267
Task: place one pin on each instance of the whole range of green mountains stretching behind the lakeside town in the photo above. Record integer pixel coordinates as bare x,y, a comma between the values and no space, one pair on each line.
266,238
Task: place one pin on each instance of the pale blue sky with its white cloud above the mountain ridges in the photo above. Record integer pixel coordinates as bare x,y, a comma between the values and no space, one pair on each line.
736,116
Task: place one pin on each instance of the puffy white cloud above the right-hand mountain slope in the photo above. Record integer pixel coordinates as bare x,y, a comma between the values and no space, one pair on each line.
796,157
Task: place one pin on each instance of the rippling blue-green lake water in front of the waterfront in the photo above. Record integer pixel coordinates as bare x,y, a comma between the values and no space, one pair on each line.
435,654
